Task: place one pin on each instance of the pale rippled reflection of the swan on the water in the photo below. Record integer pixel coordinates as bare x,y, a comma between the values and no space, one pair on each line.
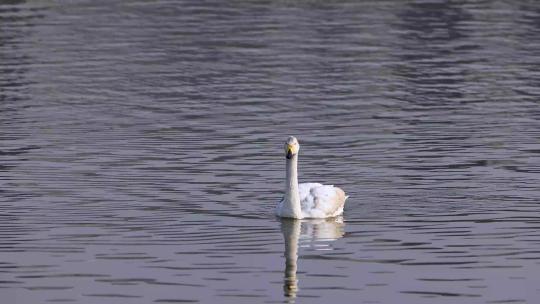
314,233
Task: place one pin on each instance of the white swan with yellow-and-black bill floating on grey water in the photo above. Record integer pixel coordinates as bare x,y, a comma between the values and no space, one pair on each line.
307,200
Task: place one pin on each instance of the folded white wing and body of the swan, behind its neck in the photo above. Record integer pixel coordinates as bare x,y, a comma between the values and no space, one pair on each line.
321,201
